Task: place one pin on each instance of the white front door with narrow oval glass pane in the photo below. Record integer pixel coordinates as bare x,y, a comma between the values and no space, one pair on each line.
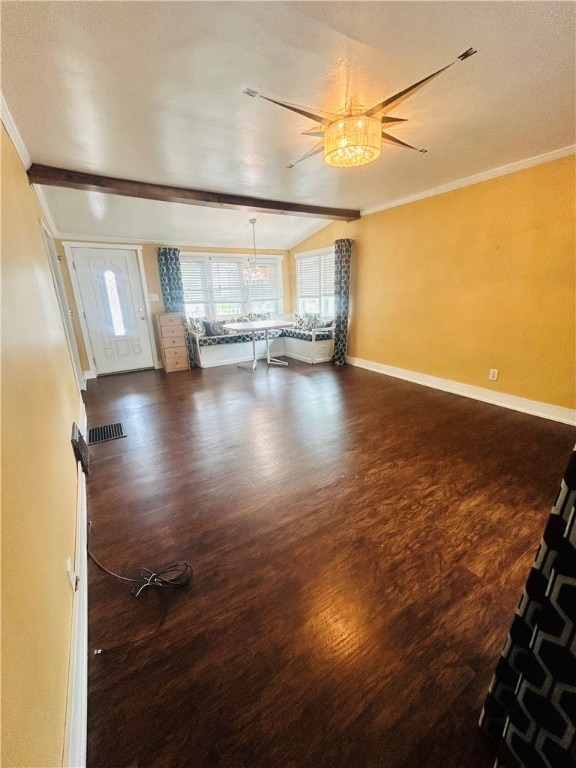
112,298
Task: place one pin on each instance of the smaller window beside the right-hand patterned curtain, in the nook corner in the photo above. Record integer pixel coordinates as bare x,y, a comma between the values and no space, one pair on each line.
315,281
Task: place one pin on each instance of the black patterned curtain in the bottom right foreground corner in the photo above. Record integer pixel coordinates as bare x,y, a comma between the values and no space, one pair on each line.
531,706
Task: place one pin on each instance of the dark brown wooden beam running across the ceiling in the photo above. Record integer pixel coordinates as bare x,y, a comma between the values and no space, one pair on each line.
59,177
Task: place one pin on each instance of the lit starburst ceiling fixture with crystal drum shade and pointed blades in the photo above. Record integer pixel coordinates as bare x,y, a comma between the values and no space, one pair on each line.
355,137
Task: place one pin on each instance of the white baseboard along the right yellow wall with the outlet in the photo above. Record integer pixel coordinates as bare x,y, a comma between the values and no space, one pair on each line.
522,404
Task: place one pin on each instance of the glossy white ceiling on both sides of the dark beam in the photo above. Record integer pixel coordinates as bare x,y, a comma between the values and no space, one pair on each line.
154,91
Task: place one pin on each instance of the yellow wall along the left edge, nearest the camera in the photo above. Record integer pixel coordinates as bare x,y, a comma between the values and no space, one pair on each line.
39,403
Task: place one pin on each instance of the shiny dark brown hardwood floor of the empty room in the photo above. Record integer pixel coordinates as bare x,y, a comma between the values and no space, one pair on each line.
359,546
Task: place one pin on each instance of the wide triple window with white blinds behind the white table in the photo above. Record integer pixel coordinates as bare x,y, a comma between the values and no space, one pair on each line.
227,286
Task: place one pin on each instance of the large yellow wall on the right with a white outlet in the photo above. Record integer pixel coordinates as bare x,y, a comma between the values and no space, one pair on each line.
479,278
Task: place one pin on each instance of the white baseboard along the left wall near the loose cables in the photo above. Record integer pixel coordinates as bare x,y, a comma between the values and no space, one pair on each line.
77,708
